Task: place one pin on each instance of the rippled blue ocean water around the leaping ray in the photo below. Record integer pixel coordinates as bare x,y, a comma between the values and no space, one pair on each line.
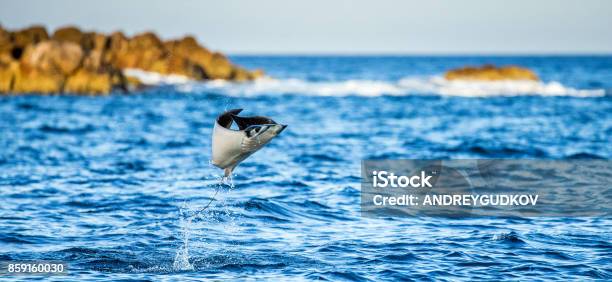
117,186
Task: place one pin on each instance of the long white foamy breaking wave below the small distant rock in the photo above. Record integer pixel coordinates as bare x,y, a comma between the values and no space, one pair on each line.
434,85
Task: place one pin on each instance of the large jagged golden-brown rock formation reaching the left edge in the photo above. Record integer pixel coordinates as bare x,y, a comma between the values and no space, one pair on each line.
75,61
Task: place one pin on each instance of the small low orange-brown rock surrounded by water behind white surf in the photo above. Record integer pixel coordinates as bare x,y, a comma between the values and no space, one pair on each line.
491,73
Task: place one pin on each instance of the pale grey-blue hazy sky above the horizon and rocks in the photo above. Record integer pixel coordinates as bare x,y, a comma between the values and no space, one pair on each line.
342,27
